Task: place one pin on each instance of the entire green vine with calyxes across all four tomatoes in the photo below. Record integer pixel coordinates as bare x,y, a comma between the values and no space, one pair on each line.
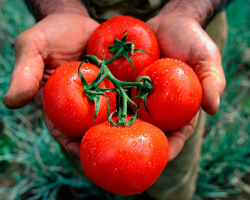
143,84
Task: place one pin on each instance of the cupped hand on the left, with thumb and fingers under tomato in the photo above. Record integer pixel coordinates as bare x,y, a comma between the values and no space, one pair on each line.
57,39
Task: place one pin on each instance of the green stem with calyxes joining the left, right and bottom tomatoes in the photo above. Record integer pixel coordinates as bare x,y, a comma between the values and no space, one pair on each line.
143,84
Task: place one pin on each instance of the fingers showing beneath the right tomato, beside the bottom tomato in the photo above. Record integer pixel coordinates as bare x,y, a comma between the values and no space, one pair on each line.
177,138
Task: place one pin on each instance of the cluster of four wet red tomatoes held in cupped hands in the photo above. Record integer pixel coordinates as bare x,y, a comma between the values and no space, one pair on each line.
123,159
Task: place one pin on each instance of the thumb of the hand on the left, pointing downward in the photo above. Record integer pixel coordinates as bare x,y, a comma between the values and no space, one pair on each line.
30,52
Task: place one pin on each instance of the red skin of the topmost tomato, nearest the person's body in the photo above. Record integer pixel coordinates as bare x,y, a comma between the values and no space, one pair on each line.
142,37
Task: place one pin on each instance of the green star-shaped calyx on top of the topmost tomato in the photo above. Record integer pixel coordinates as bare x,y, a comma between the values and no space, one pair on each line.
123,48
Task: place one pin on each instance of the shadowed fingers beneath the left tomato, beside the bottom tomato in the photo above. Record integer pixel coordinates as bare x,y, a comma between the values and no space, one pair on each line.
70,144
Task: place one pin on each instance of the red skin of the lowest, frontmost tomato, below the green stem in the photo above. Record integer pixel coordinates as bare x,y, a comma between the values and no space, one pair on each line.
124,160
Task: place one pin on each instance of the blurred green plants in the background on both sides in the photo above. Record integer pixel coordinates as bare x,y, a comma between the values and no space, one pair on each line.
31,163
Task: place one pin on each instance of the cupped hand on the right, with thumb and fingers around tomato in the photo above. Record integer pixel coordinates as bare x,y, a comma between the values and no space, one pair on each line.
183,38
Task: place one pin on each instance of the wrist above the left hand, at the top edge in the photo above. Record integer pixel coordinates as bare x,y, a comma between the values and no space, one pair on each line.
42,8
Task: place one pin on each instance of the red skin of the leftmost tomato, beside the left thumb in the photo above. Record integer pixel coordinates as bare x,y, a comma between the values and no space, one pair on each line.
67,106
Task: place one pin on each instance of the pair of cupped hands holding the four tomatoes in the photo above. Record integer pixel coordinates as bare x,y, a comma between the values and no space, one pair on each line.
62,37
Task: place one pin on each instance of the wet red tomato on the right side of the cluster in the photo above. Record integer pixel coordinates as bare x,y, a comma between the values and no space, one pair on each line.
176,95
